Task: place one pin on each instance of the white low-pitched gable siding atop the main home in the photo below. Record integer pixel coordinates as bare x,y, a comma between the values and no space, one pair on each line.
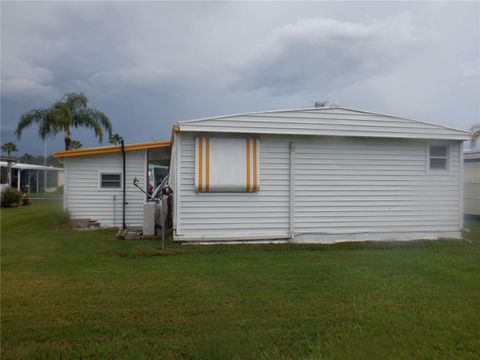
324,121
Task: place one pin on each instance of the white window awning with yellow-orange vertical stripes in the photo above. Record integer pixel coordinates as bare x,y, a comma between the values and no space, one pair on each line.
226,164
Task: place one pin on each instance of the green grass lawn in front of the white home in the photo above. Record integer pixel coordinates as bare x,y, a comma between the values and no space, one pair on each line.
83,294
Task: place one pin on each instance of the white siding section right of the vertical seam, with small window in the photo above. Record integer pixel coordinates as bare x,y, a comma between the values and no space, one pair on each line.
346,185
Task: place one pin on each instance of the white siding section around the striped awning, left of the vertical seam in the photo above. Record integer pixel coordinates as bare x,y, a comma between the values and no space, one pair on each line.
237,214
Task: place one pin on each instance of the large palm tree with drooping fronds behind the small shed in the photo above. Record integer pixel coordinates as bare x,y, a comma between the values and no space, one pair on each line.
71,111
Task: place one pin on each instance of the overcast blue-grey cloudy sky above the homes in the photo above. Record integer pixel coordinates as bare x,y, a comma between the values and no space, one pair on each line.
148,65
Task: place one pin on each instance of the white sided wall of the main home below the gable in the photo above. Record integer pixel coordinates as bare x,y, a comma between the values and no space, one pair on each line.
343,189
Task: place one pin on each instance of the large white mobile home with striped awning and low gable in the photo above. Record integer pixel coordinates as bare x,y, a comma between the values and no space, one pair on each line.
316,175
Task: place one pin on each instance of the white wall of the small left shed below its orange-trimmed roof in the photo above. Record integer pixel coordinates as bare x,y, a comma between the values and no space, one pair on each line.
84,198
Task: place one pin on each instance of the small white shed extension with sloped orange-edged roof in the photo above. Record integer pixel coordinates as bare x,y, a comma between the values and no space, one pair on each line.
99,181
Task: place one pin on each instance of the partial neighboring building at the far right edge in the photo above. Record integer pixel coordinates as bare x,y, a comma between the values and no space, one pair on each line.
471,192
